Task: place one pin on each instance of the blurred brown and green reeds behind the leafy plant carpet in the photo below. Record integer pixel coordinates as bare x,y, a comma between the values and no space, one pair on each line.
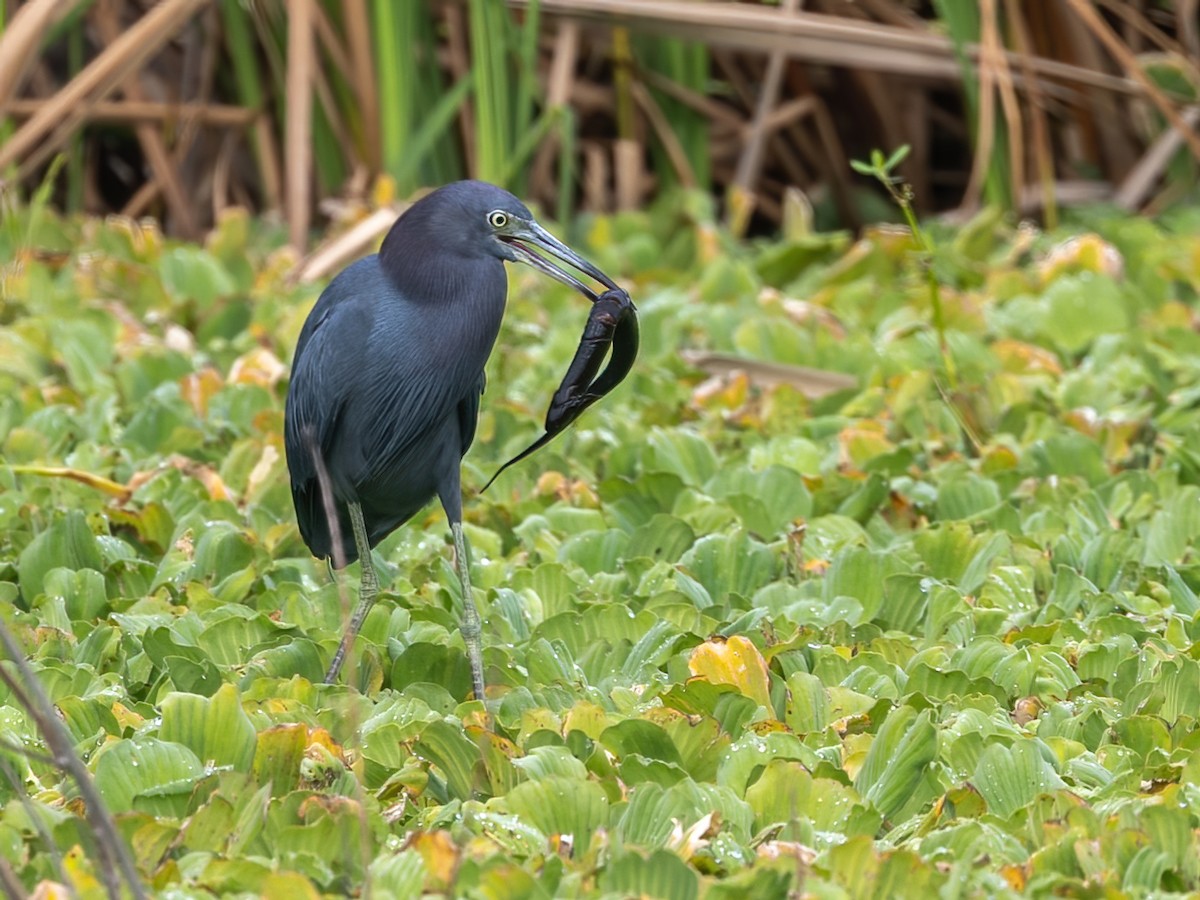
320,111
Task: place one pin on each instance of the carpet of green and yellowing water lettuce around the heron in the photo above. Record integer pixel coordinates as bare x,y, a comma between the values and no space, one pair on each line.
915,635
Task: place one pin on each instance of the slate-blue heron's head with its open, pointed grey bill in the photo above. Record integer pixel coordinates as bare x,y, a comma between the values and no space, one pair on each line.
478,220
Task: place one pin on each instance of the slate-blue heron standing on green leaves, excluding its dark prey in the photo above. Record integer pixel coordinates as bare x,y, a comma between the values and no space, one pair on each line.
388,375
